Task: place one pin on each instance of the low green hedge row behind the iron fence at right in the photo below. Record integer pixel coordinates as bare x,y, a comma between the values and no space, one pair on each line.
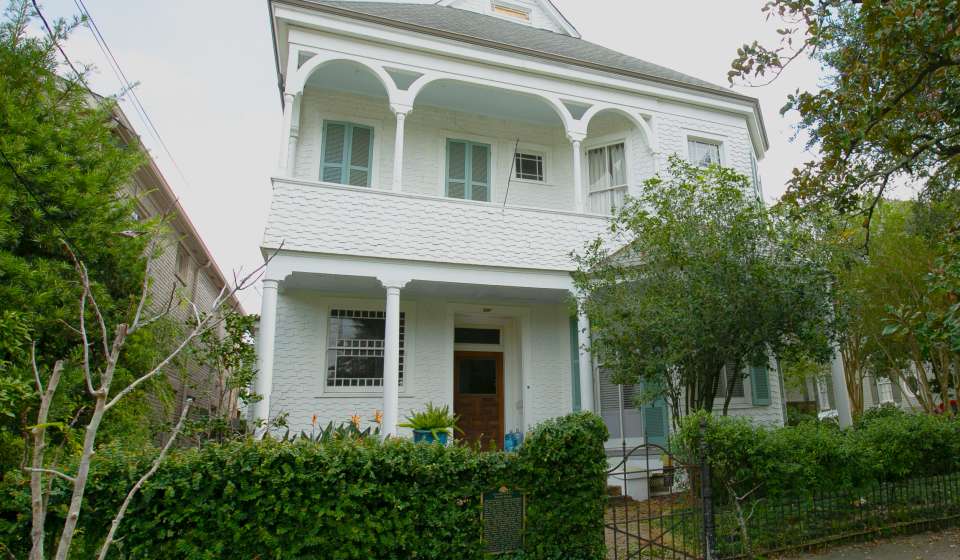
817,457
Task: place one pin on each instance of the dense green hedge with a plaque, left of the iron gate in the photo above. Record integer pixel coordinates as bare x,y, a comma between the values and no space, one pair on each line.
356,499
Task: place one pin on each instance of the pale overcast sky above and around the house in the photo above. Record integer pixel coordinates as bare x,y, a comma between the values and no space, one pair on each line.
206,77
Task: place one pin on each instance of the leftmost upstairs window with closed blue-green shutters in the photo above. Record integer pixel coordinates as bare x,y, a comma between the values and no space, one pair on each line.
347,154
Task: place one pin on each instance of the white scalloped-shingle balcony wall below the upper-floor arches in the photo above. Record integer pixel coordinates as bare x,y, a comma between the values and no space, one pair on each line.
356,221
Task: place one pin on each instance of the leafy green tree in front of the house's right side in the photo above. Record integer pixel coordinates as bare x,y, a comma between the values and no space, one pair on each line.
696,274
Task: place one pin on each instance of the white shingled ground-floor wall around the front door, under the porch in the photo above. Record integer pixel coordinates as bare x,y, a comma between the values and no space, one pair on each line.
299,389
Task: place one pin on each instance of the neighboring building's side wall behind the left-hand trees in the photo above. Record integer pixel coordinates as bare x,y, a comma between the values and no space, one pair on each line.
184,271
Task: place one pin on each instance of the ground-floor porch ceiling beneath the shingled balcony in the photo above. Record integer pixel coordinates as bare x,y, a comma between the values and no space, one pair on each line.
420,289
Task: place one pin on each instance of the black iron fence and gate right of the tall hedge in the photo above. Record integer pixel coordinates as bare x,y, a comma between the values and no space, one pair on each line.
662,508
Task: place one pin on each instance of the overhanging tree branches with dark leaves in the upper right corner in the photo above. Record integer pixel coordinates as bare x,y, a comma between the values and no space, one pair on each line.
889,108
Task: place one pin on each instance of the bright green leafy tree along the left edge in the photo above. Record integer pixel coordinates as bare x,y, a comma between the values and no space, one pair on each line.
62,173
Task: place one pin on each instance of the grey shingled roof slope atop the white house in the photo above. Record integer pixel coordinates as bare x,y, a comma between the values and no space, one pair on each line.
480,28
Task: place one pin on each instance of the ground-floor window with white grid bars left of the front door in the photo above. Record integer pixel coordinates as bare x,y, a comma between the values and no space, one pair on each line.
355,348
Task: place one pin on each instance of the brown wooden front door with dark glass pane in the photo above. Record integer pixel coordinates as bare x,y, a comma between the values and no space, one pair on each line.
478,396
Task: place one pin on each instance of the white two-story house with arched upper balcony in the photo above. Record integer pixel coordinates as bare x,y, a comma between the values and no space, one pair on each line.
439,162
